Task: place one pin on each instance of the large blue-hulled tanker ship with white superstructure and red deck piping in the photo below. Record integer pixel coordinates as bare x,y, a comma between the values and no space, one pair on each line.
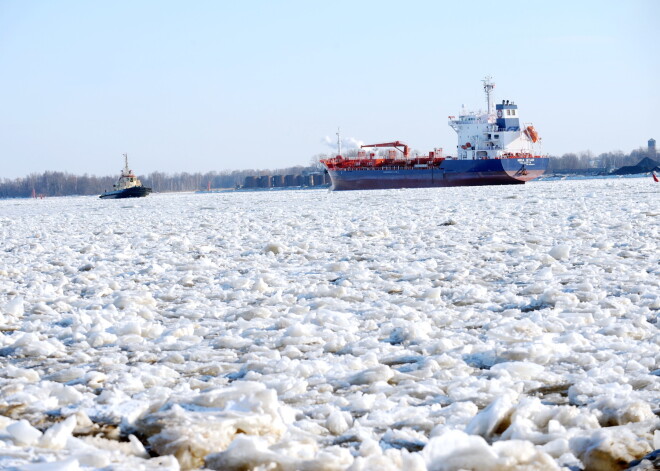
494,148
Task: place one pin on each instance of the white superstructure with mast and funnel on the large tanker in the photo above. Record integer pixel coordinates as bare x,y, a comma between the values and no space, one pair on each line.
495,134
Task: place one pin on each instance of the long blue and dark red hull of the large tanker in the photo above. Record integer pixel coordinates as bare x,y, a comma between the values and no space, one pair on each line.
448,173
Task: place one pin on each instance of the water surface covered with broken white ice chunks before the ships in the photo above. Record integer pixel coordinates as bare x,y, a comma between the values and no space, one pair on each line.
491,328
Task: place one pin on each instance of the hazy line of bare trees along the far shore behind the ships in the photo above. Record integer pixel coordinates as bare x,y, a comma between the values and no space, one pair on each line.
52,183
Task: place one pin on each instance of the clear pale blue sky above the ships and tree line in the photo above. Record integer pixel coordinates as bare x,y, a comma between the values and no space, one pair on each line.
215,85
